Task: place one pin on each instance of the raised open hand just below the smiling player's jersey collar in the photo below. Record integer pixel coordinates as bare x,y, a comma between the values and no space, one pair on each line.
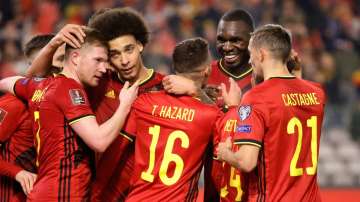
233,96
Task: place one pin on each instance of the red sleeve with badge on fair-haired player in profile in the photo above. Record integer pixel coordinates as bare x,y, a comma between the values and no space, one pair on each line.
73,101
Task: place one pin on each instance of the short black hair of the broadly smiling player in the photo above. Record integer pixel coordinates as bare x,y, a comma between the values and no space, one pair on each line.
239,15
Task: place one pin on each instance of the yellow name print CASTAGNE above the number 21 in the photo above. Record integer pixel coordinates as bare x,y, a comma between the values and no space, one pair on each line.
300,99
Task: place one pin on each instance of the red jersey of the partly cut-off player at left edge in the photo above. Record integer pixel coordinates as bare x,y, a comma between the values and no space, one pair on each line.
17,151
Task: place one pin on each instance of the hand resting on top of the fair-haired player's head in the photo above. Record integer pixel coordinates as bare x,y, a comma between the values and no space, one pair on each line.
70,34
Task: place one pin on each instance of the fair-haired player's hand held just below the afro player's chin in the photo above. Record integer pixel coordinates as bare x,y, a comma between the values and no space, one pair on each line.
129,93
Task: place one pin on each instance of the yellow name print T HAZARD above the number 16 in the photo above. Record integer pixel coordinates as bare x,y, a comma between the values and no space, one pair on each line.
173,112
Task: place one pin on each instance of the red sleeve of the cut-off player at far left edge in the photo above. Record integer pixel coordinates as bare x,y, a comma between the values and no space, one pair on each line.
11,113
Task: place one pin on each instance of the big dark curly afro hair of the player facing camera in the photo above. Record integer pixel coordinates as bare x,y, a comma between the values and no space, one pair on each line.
116,22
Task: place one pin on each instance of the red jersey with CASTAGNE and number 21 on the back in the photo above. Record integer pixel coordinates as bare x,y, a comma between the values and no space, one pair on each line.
286,124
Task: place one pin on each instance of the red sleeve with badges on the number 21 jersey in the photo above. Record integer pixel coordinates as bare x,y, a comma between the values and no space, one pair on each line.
250,126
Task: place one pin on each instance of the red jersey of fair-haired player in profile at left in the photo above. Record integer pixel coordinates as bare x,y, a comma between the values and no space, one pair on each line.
63,158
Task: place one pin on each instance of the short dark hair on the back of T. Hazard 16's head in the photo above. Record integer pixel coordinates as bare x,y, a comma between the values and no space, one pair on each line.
189,54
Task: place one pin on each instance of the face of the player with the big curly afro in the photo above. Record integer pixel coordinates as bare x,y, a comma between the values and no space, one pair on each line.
125,56
